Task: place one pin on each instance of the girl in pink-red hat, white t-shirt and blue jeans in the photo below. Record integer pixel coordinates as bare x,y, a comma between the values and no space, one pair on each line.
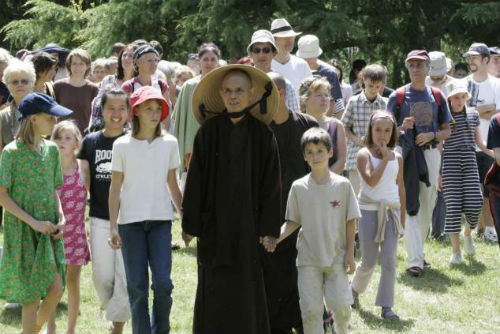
143,183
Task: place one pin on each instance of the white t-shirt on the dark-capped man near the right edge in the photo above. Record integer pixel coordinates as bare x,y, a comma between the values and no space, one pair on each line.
485,92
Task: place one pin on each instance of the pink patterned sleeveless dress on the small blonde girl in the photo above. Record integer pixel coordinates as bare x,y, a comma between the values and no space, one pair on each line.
73,196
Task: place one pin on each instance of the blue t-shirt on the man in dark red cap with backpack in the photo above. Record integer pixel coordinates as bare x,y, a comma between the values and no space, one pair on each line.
422,106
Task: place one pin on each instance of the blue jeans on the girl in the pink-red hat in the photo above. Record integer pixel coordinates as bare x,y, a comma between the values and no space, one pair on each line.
143,243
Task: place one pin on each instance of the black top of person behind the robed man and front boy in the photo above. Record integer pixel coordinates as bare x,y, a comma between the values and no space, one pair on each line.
288,135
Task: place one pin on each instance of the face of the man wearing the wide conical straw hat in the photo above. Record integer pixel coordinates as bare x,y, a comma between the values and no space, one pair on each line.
236,91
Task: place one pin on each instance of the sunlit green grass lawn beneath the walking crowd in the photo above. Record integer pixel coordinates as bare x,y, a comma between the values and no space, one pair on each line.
460,299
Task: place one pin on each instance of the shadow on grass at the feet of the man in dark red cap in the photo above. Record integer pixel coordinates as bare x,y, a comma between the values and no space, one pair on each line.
431,280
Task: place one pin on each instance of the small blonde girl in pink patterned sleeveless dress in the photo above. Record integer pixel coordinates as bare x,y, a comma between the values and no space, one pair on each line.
73,197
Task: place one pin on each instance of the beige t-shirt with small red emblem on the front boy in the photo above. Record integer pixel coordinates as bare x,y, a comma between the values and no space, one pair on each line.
323,211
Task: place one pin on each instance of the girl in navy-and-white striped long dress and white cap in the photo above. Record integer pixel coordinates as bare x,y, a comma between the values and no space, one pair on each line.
459,177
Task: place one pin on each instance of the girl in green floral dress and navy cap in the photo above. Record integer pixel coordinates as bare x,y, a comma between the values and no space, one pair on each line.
30,172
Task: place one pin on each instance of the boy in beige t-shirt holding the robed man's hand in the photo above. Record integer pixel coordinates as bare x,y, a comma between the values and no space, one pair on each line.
324,206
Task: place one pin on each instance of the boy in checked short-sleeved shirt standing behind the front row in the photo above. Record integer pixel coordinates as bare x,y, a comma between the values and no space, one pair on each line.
357,114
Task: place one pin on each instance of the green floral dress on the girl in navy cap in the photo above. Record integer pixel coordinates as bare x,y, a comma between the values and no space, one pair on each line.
30,259
